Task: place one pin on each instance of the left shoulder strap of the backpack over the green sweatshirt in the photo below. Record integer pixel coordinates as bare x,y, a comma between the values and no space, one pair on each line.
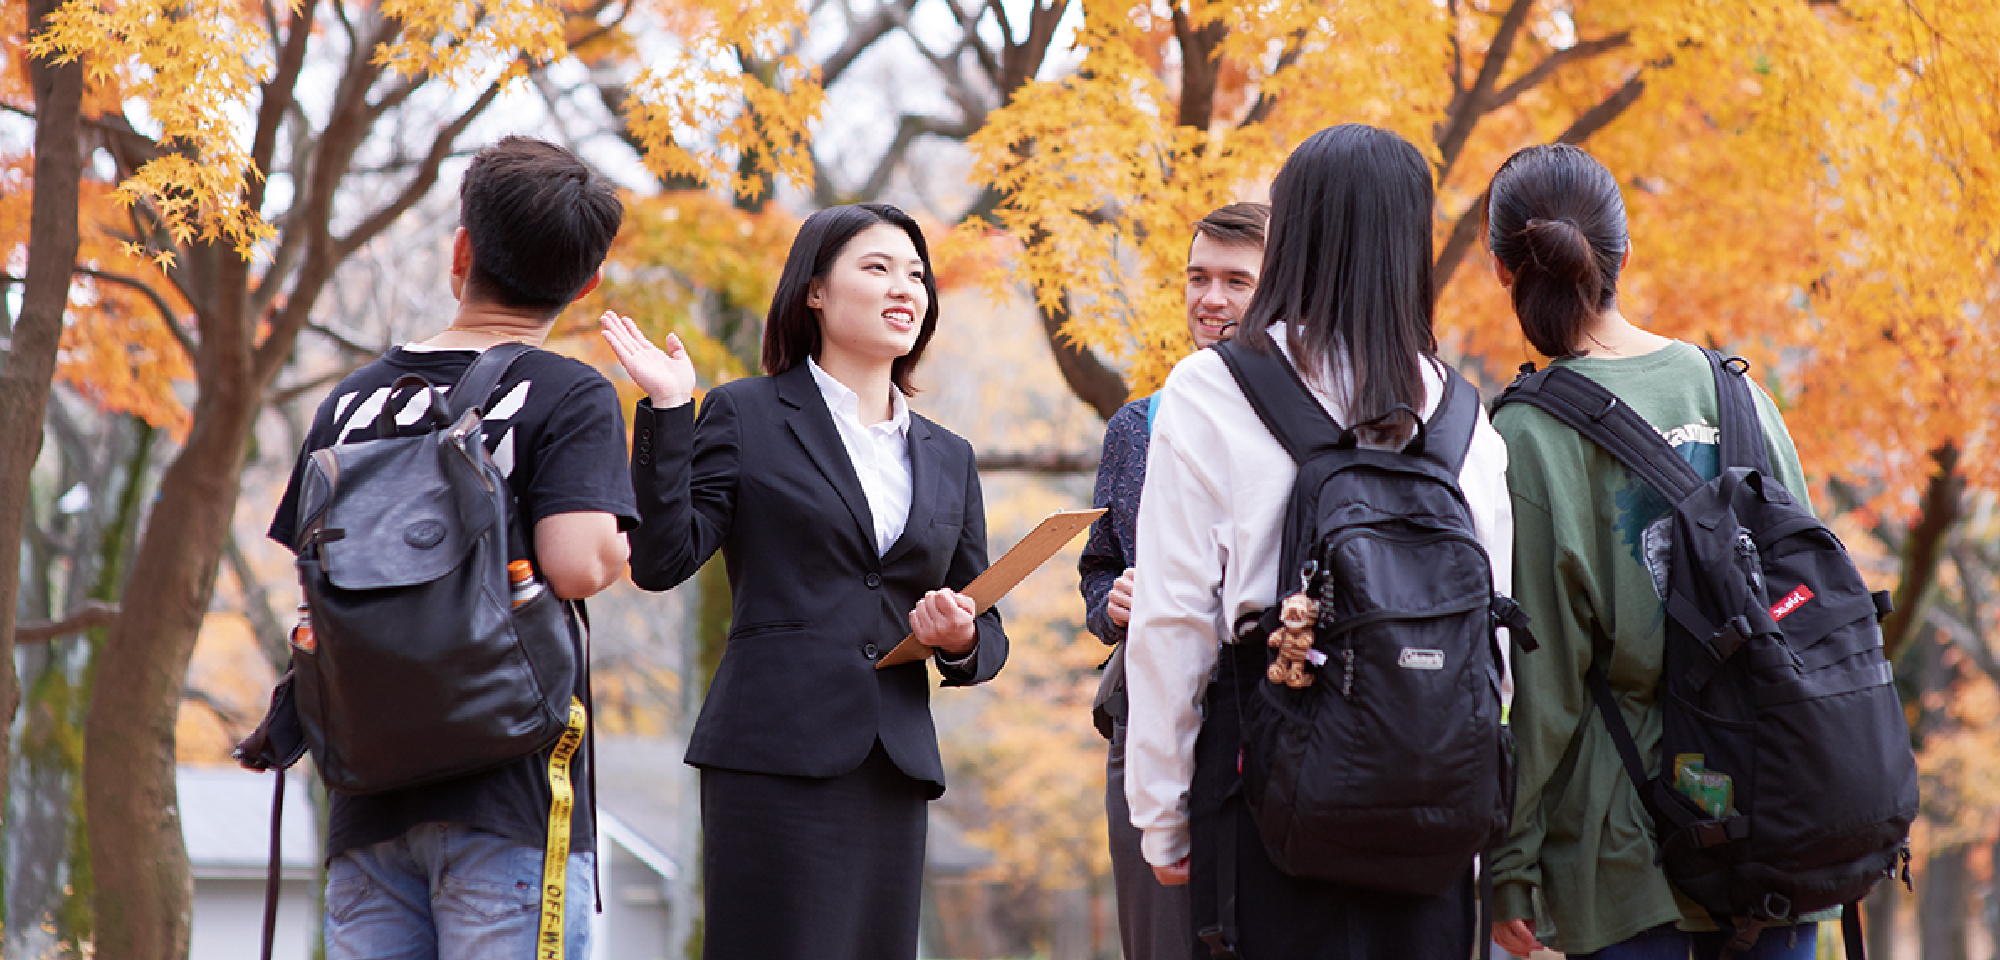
1593,411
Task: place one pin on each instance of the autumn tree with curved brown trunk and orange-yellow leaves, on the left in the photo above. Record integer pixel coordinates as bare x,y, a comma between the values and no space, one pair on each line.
205,107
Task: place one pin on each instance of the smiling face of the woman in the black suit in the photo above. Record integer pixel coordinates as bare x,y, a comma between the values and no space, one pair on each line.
873,299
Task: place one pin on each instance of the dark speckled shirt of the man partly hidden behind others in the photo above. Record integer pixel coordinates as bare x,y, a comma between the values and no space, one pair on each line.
1115,537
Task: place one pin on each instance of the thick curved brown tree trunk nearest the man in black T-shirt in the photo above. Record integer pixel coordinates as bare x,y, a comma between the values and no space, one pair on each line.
137,851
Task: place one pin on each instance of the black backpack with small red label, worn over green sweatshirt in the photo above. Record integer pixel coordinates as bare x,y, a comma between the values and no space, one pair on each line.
1781,717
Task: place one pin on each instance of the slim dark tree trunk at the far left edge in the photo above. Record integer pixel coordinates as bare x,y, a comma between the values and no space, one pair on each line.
31,353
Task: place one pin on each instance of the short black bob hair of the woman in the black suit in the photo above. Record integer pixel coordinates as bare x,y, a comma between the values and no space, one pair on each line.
793,331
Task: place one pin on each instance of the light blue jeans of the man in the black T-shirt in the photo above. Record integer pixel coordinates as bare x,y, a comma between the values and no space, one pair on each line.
449,893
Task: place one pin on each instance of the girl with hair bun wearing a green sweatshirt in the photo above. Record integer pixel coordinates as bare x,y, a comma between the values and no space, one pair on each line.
1591,545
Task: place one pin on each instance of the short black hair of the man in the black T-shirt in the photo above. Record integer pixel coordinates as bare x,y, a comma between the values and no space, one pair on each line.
541,223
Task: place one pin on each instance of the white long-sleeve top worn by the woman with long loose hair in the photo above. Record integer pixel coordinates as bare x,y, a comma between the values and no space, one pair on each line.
1209,539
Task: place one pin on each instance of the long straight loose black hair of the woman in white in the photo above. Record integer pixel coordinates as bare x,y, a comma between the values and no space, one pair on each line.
1347,267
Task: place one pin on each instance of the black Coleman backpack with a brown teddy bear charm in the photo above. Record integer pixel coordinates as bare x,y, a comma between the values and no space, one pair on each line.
1393,769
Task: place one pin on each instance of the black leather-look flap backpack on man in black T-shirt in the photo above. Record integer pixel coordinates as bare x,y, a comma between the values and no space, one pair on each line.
421,667
